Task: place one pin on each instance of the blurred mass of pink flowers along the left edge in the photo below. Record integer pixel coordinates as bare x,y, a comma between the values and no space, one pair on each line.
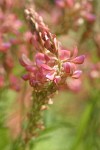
10,39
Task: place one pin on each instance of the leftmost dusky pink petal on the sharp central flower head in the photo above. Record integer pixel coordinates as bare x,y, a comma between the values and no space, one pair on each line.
24,61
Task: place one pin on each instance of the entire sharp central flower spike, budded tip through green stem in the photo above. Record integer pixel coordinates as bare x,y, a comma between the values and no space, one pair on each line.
47,71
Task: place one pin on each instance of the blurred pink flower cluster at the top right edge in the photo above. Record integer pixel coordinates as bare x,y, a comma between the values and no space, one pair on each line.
79,11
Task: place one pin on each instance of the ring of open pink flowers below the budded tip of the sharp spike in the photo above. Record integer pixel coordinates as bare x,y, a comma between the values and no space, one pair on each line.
47,68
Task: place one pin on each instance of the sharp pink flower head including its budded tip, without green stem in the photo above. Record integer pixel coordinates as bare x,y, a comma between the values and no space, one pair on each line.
51,63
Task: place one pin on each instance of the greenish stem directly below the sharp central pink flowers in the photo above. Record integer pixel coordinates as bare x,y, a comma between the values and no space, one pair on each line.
40,100
